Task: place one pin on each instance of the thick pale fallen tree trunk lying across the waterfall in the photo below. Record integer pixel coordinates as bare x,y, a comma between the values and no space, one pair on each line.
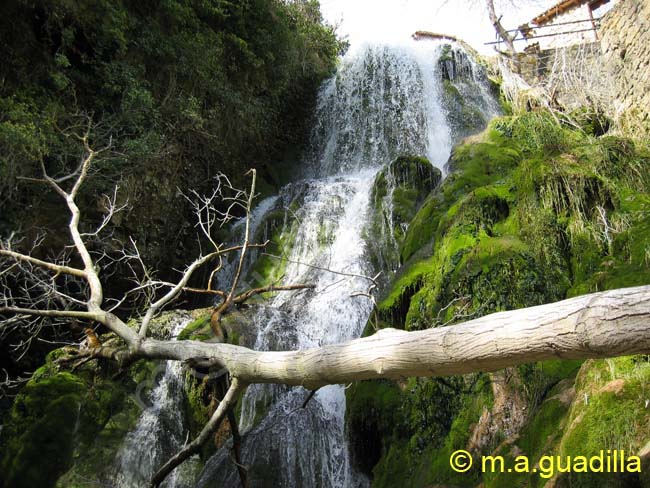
605,324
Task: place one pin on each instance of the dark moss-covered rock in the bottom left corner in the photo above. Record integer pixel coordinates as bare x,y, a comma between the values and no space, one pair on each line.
64,426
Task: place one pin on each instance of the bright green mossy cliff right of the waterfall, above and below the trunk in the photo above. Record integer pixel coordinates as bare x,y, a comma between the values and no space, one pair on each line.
531,212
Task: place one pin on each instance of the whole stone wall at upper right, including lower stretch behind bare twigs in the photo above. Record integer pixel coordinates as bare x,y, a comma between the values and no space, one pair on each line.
612,75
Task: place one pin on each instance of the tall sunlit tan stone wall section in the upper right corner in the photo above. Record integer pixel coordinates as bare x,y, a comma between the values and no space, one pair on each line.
625,48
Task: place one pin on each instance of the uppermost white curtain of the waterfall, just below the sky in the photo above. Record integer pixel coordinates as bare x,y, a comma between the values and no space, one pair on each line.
383,102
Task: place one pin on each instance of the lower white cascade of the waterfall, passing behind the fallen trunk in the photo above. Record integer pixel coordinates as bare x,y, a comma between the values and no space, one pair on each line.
284,445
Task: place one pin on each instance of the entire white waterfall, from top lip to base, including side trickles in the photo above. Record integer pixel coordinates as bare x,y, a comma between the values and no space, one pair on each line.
383,102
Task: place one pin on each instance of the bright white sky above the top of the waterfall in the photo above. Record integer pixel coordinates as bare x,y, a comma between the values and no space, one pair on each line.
392,20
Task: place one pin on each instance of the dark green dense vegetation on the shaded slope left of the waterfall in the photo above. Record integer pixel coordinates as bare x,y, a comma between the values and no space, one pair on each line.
181,90
